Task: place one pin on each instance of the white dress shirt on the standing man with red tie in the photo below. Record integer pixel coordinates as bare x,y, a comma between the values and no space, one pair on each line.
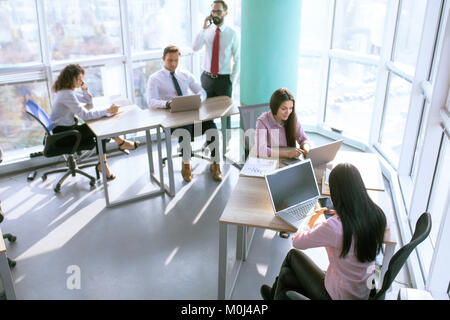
228,48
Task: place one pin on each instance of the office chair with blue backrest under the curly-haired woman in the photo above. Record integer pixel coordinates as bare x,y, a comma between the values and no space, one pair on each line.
64,144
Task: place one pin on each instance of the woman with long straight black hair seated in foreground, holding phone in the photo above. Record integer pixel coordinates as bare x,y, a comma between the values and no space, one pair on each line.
352,238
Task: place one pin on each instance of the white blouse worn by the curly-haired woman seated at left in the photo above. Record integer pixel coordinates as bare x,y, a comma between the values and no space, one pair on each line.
67,104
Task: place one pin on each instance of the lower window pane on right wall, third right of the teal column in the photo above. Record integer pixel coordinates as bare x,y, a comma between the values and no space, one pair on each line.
394,119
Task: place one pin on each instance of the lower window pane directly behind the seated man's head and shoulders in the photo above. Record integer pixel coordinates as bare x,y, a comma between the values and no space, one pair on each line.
142,70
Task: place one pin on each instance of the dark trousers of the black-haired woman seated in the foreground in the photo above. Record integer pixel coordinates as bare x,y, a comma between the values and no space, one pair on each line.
299,273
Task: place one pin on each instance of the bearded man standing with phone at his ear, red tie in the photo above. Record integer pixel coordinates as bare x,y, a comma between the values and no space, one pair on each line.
221,44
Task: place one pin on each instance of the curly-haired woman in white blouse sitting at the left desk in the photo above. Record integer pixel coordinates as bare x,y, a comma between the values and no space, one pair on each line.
68,103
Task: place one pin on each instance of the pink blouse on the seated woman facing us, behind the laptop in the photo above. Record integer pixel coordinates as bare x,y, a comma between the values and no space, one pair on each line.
269,133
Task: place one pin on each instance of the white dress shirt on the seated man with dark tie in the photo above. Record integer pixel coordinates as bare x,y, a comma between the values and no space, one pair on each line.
160,87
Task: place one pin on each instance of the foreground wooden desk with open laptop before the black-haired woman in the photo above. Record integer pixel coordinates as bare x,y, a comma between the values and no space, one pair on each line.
249,206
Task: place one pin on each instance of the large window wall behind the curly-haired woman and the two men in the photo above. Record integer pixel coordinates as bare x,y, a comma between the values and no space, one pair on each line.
119,43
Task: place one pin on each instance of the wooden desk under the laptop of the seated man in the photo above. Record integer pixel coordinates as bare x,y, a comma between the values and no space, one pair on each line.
212,108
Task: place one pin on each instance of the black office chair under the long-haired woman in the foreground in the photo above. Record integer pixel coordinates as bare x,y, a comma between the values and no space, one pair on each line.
421,232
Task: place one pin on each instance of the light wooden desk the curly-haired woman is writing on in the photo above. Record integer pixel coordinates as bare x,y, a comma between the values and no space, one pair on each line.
130,119
